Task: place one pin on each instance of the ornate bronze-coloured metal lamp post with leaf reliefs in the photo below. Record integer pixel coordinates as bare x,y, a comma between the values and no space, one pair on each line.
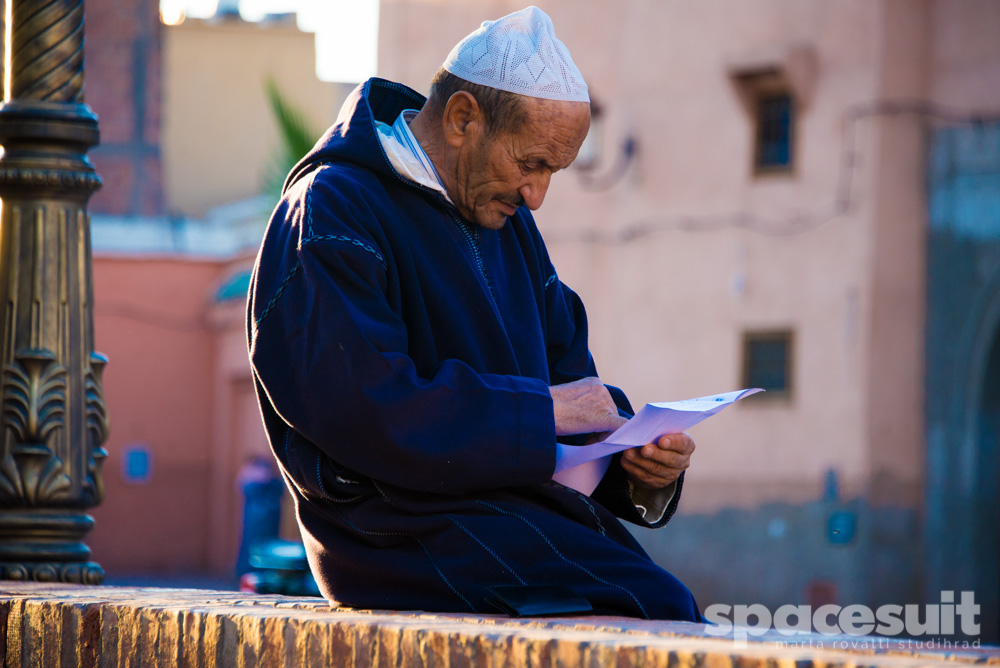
52,409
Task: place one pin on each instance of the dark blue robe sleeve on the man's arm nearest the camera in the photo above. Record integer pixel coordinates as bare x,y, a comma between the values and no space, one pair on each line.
330,352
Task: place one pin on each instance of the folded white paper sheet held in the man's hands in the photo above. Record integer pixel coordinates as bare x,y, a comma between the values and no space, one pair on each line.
582,466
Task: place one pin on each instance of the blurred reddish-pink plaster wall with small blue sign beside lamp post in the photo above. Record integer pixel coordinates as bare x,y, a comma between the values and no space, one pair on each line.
150,320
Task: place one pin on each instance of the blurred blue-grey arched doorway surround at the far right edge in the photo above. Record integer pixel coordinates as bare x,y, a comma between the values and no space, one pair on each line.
962,409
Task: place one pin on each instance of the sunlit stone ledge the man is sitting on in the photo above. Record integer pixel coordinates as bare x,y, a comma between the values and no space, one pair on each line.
77,625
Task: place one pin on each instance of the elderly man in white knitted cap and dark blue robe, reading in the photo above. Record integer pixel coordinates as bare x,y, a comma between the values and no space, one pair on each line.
416,356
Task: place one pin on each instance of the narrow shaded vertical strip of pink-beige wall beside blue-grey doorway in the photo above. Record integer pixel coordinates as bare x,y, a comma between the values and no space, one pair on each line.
896,276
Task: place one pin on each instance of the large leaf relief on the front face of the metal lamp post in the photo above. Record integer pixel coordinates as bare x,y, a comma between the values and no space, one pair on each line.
34,408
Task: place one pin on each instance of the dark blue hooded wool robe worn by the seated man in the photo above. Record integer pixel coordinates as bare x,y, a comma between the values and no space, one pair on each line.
402,358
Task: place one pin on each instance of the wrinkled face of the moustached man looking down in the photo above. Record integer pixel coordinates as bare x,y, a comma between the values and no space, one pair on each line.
496,174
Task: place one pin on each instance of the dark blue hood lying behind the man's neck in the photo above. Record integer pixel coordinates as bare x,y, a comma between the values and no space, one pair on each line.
353,137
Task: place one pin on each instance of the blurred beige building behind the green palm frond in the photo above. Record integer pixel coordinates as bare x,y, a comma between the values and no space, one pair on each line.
219,135
